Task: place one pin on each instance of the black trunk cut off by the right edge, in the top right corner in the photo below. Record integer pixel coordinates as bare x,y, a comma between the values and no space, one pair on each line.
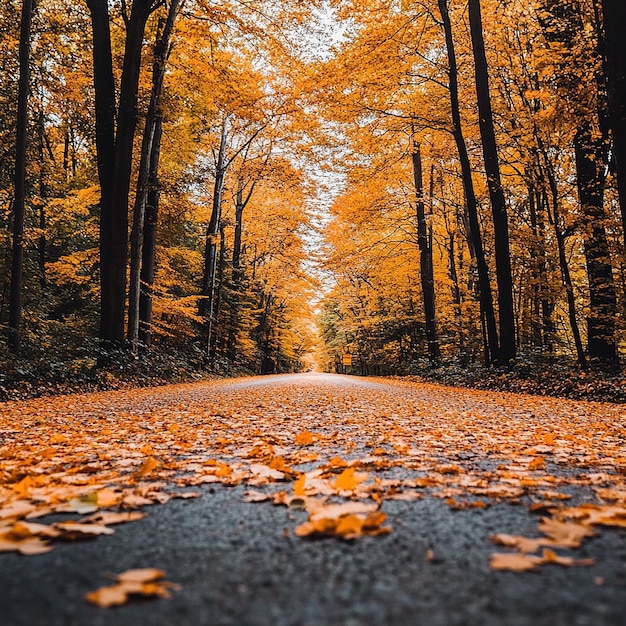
614,19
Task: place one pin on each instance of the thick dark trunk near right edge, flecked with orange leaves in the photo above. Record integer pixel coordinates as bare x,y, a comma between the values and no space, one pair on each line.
590,162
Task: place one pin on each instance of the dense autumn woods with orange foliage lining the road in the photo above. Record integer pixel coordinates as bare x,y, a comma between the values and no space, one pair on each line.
227,186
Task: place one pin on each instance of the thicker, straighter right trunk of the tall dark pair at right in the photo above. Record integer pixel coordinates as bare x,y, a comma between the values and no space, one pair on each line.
494,184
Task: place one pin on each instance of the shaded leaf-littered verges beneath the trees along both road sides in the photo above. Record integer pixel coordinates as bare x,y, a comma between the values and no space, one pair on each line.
42,376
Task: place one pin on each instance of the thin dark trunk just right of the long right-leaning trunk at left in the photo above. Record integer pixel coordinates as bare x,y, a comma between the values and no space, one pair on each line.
148,256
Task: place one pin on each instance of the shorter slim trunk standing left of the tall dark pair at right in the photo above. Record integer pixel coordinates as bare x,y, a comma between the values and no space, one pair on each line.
426,258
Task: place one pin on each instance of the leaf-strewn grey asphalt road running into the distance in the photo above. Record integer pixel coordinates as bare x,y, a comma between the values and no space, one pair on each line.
448,467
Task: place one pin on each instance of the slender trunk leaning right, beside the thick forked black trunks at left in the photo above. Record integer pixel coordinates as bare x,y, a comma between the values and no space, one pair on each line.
161,52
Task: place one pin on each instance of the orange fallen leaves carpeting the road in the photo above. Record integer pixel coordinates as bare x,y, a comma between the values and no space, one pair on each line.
335,451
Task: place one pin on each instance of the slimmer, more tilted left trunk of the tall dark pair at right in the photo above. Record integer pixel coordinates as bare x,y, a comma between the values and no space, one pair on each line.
485,295
